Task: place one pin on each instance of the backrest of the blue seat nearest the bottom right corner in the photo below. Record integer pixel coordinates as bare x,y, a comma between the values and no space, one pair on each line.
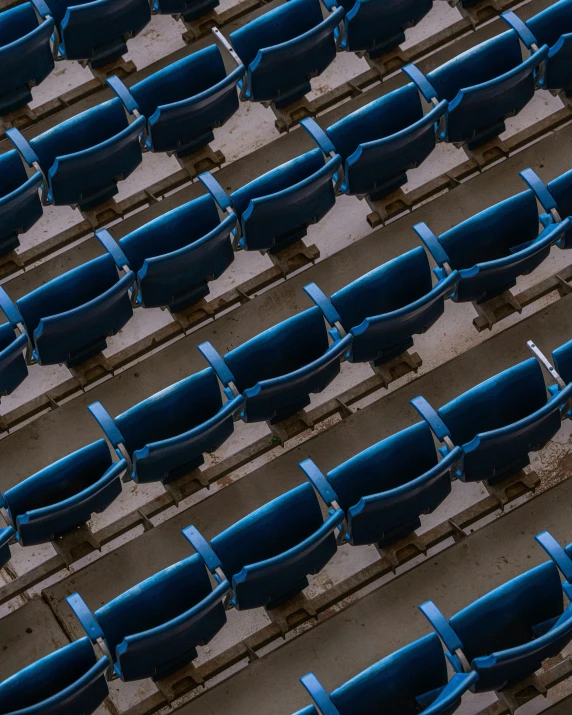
505,617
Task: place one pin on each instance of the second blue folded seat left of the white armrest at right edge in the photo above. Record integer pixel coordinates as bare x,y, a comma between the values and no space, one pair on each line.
384,489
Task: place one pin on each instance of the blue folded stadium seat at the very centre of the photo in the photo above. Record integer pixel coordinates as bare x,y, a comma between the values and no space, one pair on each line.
278,369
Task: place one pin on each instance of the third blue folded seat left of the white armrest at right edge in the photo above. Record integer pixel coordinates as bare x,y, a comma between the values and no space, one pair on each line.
268,555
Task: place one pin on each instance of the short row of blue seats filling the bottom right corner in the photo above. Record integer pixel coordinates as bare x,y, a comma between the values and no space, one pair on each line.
492,644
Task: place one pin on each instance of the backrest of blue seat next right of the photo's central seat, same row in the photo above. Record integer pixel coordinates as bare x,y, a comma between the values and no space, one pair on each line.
389,287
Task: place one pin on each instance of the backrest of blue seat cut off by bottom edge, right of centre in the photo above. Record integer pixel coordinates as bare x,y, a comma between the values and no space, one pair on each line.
392,685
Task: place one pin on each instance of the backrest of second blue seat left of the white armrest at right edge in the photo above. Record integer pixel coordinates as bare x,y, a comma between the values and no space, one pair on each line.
386,465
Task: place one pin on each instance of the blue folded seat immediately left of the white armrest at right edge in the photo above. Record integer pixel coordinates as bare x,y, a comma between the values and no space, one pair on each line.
498,422
